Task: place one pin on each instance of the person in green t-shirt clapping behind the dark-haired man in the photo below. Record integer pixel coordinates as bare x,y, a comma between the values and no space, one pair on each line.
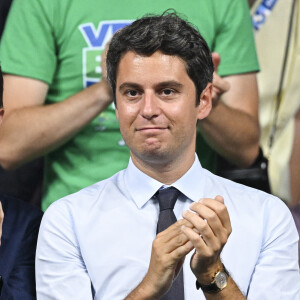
54,110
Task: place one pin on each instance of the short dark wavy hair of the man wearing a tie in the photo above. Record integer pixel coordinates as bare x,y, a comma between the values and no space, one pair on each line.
169,34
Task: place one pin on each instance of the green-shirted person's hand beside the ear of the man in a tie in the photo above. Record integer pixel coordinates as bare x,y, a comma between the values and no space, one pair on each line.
220,85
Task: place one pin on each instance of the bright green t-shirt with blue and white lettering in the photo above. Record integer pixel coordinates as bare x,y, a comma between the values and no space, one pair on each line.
60,43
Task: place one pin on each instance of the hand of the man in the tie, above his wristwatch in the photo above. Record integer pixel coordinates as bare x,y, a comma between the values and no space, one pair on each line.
212,228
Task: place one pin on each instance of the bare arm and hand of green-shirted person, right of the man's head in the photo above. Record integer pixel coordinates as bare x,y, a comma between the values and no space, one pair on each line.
232,127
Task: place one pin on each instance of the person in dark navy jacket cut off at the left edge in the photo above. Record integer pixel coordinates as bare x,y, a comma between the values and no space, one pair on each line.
18,238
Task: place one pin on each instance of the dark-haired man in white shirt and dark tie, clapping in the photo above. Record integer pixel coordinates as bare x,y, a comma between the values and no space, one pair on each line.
101,242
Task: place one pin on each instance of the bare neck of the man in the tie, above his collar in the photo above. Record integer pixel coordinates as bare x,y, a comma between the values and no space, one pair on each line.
166,172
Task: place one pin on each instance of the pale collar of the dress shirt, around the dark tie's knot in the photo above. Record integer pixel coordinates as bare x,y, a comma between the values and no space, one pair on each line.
142,187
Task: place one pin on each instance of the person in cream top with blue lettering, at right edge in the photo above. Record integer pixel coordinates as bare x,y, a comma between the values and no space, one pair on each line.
279,85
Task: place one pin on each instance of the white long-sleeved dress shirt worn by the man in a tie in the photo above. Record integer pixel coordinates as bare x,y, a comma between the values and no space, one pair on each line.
96,244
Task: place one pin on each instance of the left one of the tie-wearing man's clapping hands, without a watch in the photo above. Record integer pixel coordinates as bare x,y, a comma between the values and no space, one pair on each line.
168,252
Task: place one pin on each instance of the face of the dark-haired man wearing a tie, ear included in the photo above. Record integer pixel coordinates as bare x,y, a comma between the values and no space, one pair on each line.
156,107
